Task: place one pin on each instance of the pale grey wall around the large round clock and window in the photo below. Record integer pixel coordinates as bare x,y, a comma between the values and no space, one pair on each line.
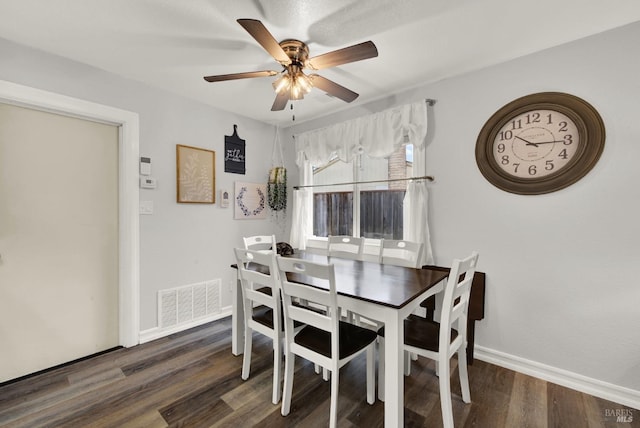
562,268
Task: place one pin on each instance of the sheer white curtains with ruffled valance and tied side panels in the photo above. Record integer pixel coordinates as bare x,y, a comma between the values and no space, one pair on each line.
377,135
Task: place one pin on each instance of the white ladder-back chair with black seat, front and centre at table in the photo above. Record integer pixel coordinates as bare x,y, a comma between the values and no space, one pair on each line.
324,340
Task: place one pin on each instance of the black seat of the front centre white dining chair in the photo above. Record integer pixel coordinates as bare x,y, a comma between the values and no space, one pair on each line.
353,338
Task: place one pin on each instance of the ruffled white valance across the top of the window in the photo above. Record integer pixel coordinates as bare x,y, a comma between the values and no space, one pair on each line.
377,135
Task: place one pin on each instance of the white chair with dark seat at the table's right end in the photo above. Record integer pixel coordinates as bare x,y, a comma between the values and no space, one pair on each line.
439,341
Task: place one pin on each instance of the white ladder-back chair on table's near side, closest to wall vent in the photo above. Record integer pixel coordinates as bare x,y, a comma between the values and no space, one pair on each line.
262,307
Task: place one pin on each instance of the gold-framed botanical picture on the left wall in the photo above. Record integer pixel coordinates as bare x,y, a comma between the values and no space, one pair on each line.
196,175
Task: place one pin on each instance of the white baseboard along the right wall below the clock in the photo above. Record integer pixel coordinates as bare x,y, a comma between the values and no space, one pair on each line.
605,390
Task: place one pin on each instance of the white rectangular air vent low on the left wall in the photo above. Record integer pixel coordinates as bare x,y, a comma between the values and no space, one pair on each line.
188,303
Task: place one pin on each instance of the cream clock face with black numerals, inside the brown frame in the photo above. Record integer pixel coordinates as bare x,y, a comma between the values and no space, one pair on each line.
536,143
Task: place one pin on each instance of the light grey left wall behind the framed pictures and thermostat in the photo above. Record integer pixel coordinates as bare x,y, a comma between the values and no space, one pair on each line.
180,243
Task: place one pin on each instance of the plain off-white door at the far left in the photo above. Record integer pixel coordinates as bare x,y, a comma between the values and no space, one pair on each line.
58,239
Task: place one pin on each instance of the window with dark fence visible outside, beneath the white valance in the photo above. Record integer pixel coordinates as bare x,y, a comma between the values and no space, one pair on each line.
372,208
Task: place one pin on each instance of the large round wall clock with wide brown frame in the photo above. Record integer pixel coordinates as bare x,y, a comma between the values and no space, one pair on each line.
540,143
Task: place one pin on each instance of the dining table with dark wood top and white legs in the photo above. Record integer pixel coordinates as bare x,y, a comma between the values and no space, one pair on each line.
380,292
